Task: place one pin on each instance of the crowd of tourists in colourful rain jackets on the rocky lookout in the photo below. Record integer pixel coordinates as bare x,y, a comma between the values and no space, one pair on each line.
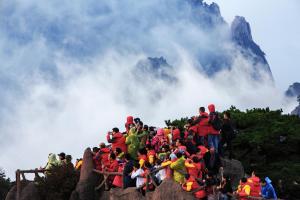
191,156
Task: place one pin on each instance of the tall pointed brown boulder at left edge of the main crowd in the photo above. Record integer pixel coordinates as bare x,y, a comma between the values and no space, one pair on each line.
85,189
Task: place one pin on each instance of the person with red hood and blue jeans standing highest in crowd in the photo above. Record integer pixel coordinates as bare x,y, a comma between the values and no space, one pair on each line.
213,128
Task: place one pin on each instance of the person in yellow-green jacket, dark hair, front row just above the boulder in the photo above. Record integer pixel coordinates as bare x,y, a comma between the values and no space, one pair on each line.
179,168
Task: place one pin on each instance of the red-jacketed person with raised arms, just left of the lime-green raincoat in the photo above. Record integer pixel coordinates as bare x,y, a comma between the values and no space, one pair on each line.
117,140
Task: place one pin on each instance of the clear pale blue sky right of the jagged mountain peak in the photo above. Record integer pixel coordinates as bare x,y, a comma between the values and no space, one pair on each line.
276,29
